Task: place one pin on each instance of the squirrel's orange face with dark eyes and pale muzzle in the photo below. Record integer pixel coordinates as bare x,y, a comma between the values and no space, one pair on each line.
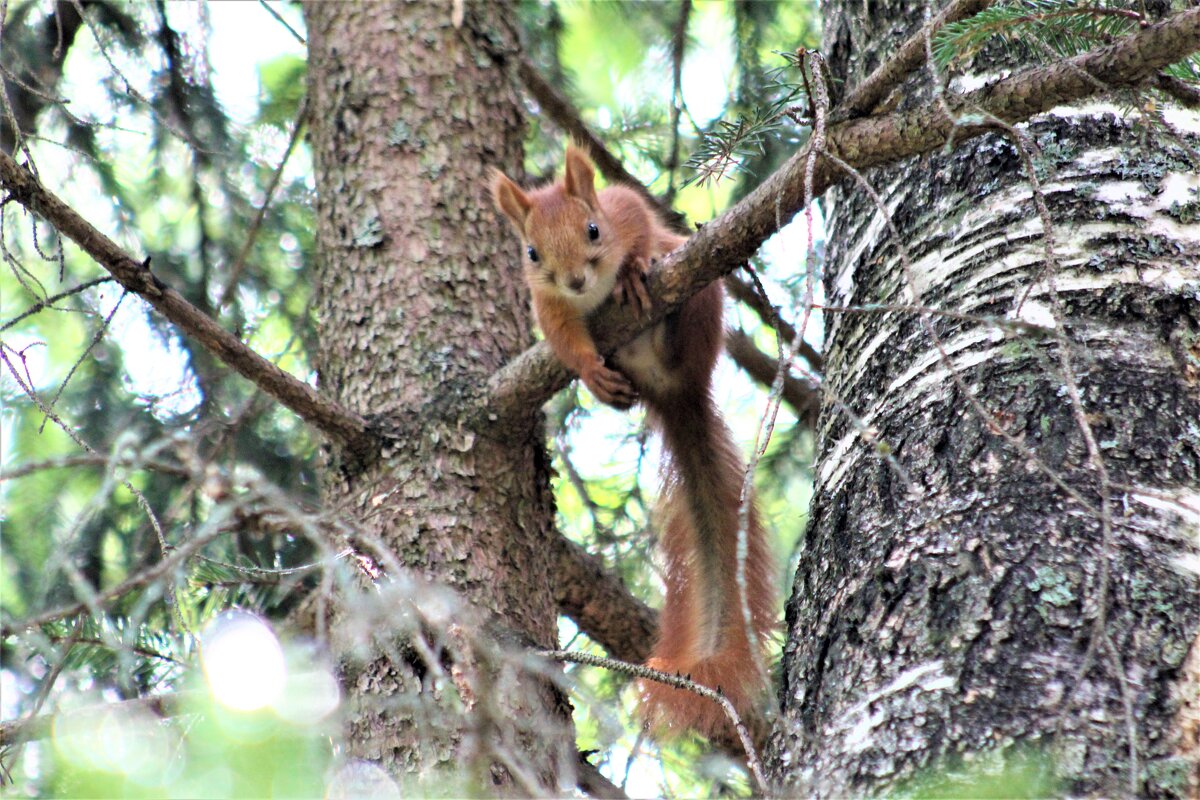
569,249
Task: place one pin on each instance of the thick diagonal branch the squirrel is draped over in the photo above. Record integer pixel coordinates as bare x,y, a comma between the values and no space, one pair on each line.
727,243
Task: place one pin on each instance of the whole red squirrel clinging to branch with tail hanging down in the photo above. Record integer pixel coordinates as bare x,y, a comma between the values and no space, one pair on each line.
580,246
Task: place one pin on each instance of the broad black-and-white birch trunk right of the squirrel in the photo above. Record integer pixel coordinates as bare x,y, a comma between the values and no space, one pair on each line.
1017,576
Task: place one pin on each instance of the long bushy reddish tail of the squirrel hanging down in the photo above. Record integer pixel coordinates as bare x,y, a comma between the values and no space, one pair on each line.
713,623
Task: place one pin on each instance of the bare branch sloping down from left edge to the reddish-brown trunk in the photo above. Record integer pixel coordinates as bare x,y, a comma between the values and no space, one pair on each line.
327,417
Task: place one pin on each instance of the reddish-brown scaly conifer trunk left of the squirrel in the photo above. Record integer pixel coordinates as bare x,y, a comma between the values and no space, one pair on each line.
418,303
